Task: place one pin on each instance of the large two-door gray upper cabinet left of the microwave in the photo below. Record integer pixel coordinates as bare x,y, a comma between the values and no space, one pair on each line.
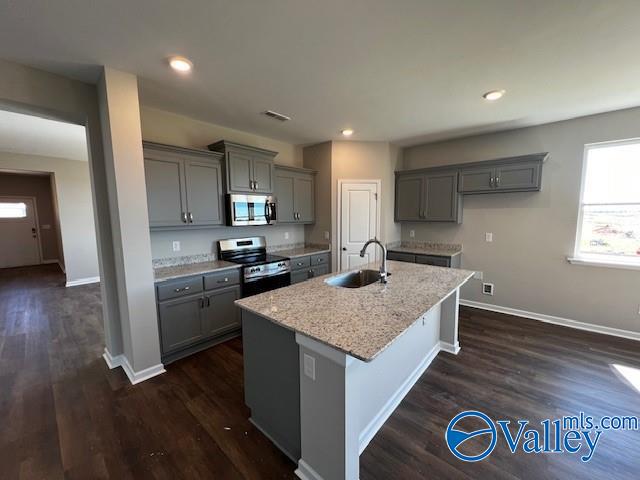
184,186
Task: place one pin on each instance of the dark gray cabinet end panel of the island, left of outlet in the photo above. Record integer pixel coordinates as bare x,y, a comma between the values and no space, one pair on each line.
272,381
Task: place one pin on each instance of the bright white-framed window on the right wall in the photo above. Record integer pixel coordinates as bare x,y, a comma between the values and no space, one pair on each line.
609,219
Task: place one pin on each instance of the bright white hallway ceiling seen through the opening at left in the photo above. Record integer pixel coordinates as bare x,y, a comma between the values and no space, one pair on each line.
31,135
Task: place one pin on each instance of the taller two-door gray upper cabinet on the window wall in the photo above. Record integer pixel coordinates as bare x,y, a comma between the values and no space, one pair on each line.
427,197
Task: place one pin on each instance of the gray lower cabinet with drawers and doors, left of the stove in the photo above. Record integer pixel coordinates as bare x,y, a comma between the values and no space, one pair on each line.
197,312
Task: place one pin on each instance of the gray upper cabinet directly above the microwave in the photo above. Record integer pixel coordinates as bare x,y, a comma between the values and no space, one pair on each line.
248,169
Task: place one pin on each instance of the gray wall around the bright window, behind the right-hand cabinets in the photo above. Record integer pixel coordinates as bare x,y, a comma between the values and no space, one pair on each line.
534,233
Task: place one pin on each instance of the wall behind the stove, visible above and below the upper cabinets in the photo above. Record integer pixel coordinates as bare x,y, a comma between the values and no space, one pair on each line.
173,129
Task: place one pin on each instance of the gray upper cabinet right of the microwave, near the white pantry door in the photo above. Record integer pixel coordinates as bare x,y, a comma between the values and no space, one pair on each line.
295,192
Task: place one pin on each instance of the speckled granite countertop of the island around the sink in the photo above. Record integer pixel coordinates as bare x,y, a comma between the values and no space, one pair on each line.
361,322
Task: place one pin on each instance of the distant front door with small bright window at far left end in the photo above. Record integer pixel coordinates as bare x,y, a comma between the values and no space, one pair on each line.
19,244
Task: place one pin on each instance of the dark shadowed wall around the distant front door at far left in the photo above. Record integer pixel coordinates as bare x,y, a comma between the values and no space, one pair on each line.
38,186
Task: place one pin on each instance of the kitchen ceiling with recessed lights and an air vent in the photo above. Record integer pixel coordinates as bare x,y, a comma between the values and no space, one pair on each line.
403,70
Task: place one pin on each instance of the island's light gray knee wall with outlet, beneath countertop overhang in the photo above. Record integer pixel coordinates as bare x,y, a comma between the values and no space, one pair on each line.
345,401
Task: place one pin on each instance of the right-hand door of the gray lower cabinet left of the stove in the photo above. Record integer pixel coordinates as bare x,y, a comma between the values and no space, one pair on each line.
220,314
